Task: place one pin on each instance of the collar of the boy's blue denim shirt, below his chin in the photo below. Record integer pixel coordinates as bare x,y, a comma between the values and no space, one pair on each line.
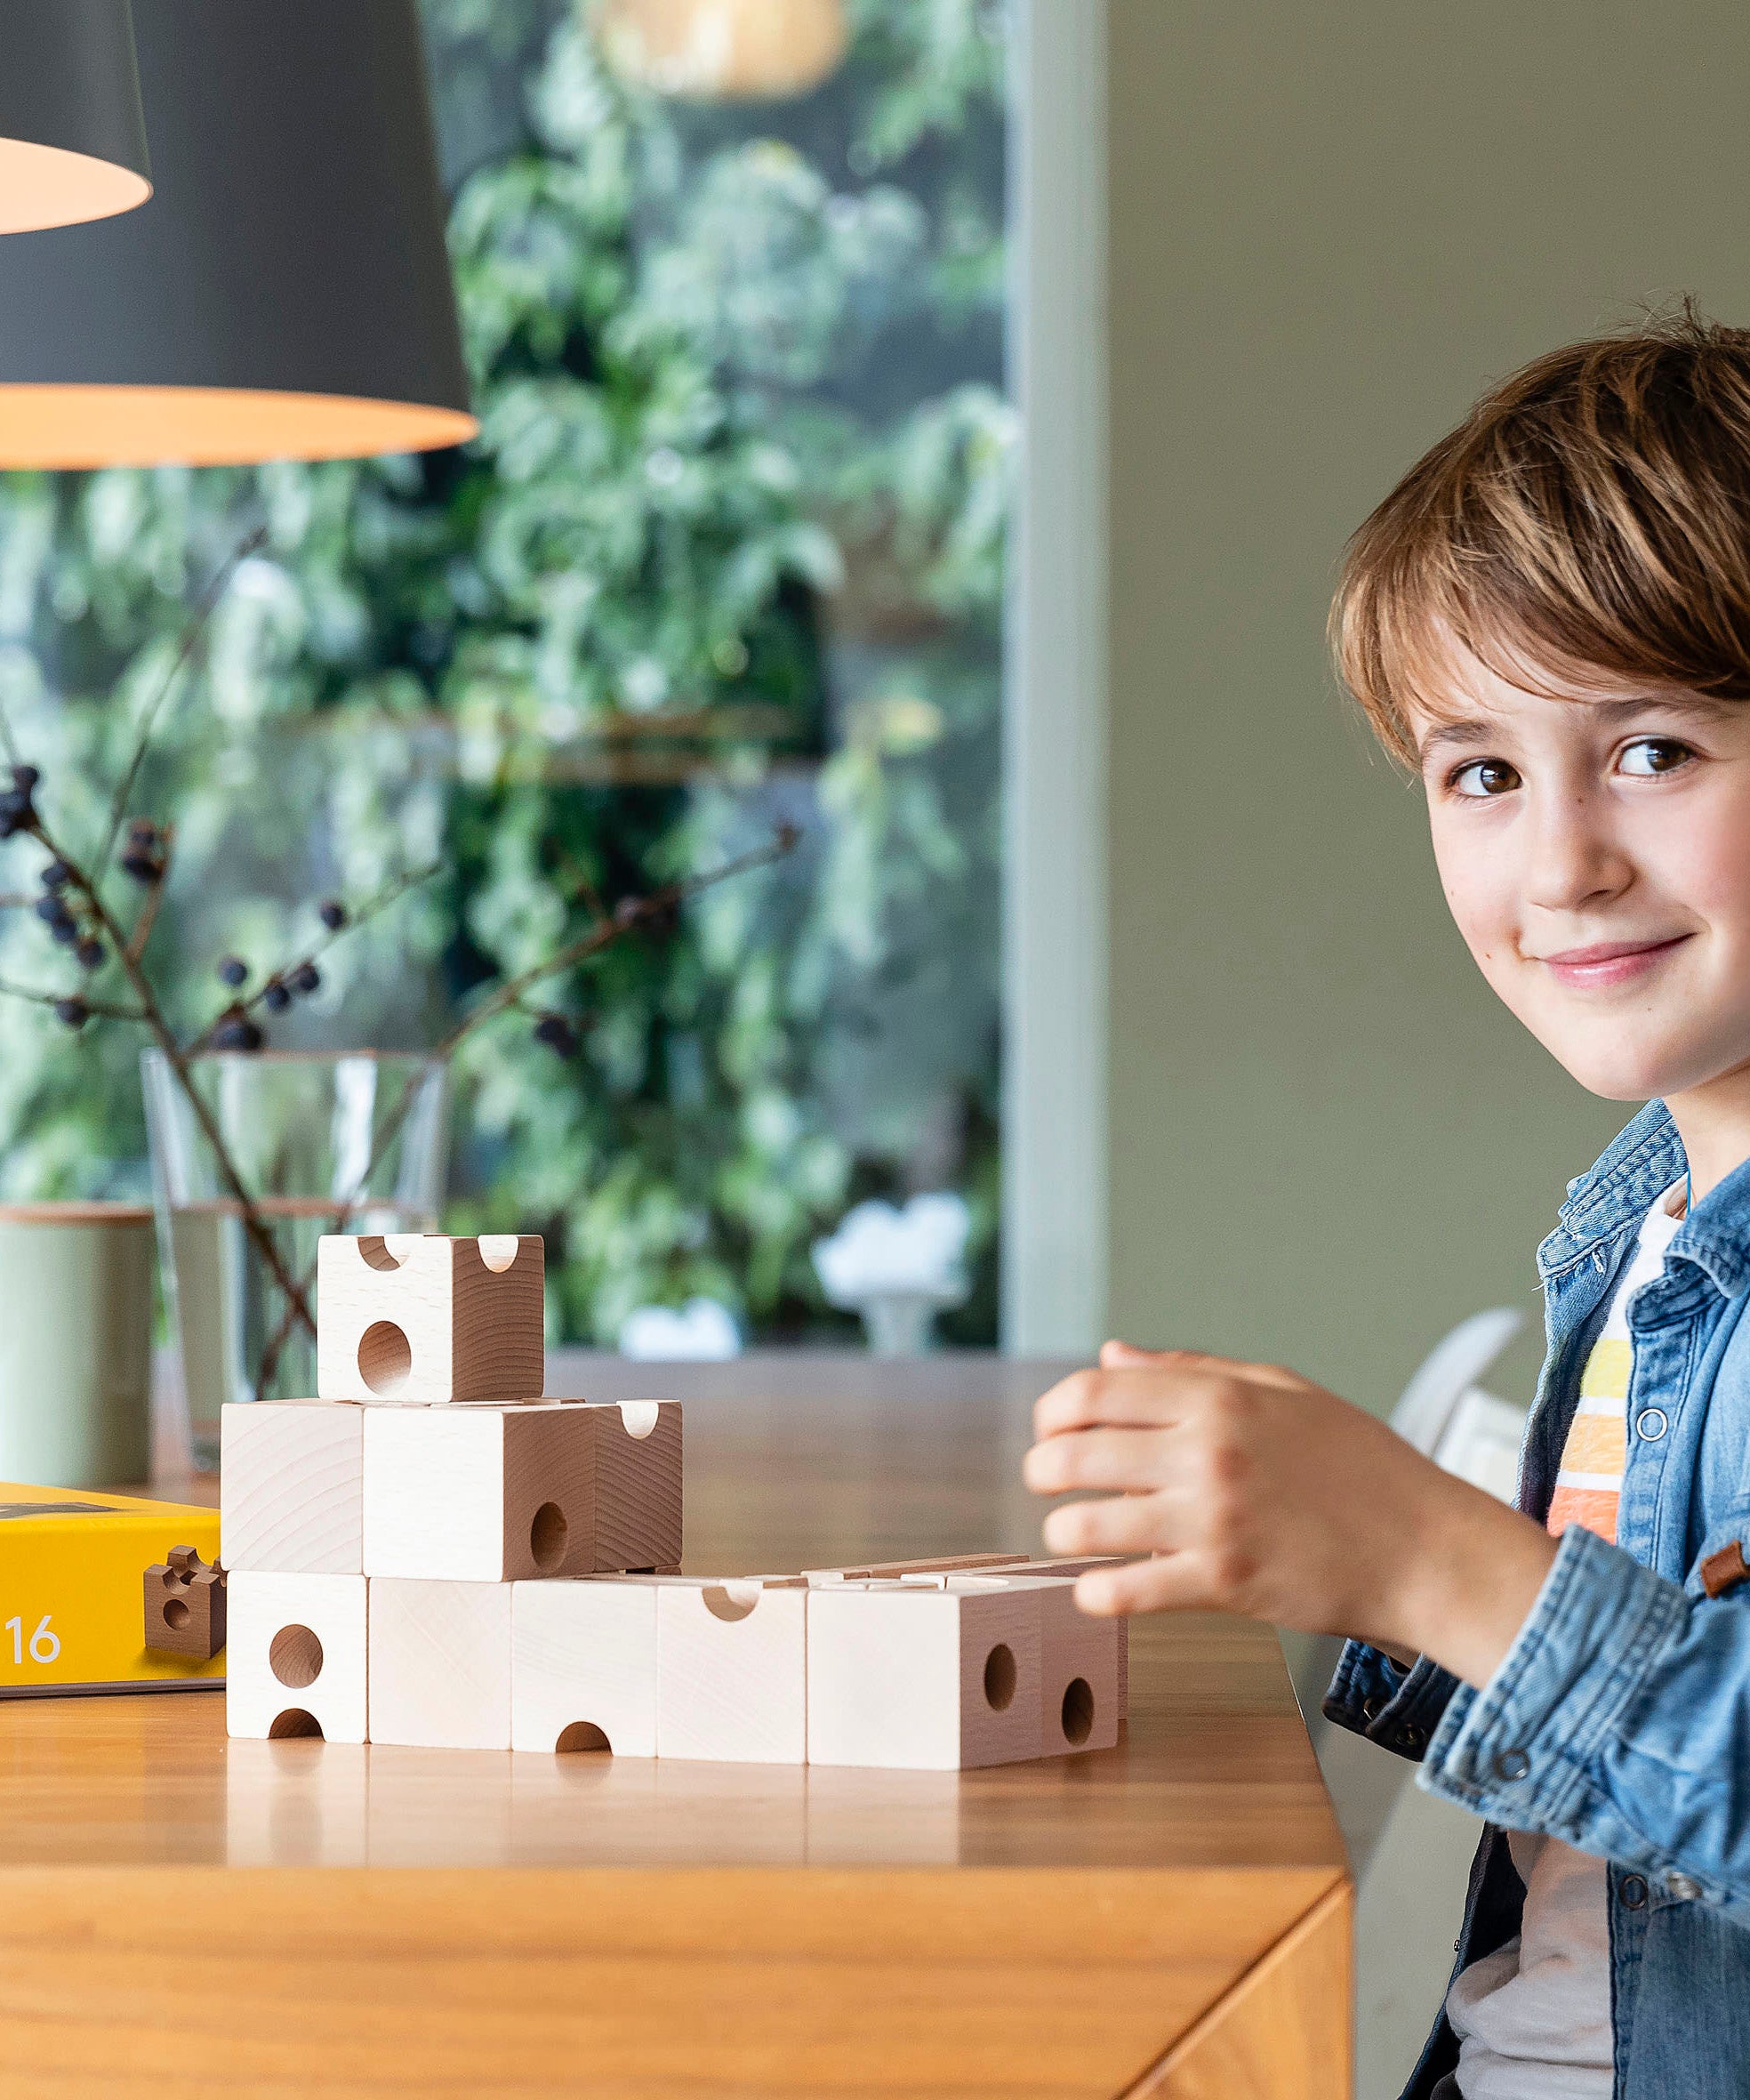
1610,1200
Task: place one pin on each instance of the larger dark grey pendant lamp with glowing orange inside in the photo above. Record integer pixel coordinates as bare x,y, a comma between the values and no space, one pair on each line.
284,293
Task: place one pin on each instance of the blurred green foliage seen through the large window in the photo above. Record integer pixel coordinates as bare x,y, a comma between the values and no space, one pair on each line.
727,551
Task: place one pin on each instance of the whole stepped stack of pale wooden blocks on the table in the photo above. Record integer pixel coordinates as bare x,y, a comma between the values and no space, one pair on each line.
425,1555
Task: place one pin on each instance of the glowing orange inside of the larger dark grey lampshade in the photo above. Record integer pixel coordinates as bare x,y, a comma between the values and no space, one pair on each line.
211,427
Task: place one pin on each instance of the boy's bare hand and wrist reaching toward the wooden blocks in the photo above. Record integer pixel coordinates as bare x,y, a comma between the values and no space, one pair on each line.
1262,1494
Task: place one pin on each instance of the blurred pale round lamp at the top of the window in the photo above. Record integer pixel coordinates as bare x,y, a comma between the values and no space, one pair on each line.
723,49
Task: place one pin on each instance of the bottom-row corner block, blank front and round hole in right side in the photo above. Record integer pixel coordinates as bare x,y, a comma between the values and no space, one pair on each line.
924,1677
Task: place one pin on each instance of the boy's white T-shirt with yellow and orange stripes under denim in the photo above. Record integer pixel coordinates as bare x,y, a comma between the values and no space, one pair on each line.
1533,2019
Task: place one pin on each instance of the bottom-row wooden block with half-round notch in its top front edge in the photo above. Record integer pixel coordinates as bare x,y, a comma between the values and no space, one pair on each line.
733,1671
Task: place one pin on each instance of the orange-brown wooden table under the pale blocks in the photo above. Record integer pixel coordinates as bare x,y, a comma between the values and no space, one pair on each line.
1172,1918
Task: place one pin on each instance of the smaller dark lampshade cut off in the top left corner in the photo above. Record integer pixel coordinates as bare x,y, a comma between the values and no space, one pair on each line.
72,142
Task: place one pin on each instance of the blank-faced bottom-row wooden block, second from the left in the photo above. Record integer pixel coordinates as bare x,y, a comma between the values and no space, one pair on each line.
442,1664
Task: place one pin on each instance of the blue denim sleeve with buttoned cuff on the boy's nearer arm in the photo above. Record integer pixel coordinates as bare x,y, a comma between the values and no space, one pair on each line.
1619,1721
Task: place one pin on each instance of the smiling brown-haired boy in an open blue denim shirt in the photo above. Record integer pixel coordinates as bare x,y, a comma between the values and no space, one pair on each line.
1550,621
